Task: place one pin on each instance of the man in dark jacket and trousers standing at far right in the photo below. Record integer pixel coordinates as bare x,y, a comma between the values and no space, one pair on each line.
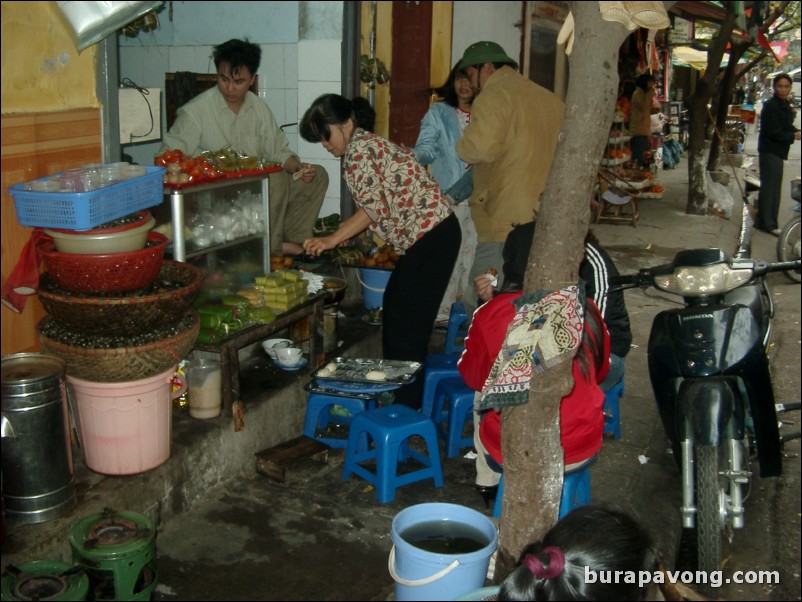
777,133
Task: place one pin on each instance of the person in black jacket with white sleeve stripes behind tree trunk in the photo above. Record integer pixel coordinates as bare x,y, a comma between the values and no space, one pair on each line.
596,269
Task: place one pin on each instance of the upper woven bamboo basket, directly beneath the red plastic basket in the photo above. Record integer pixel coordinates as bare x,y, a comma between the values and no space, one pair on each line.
165,302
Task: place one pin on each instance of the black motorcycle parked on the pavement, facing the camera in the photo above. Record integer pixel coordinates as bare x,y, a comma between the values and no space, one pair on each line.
709,371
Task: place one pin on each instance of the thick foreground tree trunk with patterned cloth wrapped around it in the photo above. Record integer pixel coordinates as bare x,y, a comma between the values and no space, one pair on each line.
533,455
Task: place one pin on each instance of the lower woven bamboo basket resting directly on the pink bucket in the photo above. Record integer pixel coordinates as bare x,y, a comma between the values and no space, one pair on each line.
123,363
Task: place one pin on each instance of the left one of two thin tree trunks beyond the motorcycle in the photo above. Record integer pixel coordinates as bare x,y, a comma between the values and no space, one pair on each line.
699,120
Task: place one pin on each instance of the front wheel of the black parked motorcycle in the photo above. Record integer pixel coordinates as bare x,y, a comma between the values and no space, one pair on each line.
708,505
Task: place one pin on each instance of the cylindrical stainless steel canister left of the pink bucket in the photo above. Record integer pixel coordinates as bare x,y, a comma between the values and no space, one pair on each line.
37,453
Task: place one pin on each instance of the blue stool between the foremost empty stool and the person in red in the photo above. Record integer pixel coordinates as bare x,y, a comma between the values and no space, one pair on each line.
453,407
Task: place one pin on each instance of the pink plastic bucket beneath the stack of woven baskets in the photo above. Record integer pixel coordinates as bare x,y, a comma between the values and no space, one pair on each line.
124,427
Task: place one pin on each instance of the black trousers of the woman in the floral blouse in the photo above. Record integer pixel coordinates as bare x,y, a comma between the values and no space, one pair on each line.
412,299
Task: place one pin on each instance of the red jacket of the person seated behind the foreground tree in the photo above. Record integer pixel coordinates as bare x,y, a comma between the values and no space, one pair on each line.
581,413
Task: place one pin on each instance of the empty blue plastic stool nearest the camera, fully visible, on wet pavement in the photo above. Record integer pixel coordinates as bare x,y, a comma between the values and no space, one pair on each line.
390,428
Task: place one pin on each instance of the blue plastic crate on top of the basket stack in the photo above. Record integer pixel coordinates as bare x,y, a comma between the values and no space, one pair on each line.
87,210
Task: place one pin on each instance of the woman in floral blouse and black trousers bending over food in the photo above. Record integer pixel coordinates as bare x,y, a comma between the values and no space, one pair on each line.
404,206
